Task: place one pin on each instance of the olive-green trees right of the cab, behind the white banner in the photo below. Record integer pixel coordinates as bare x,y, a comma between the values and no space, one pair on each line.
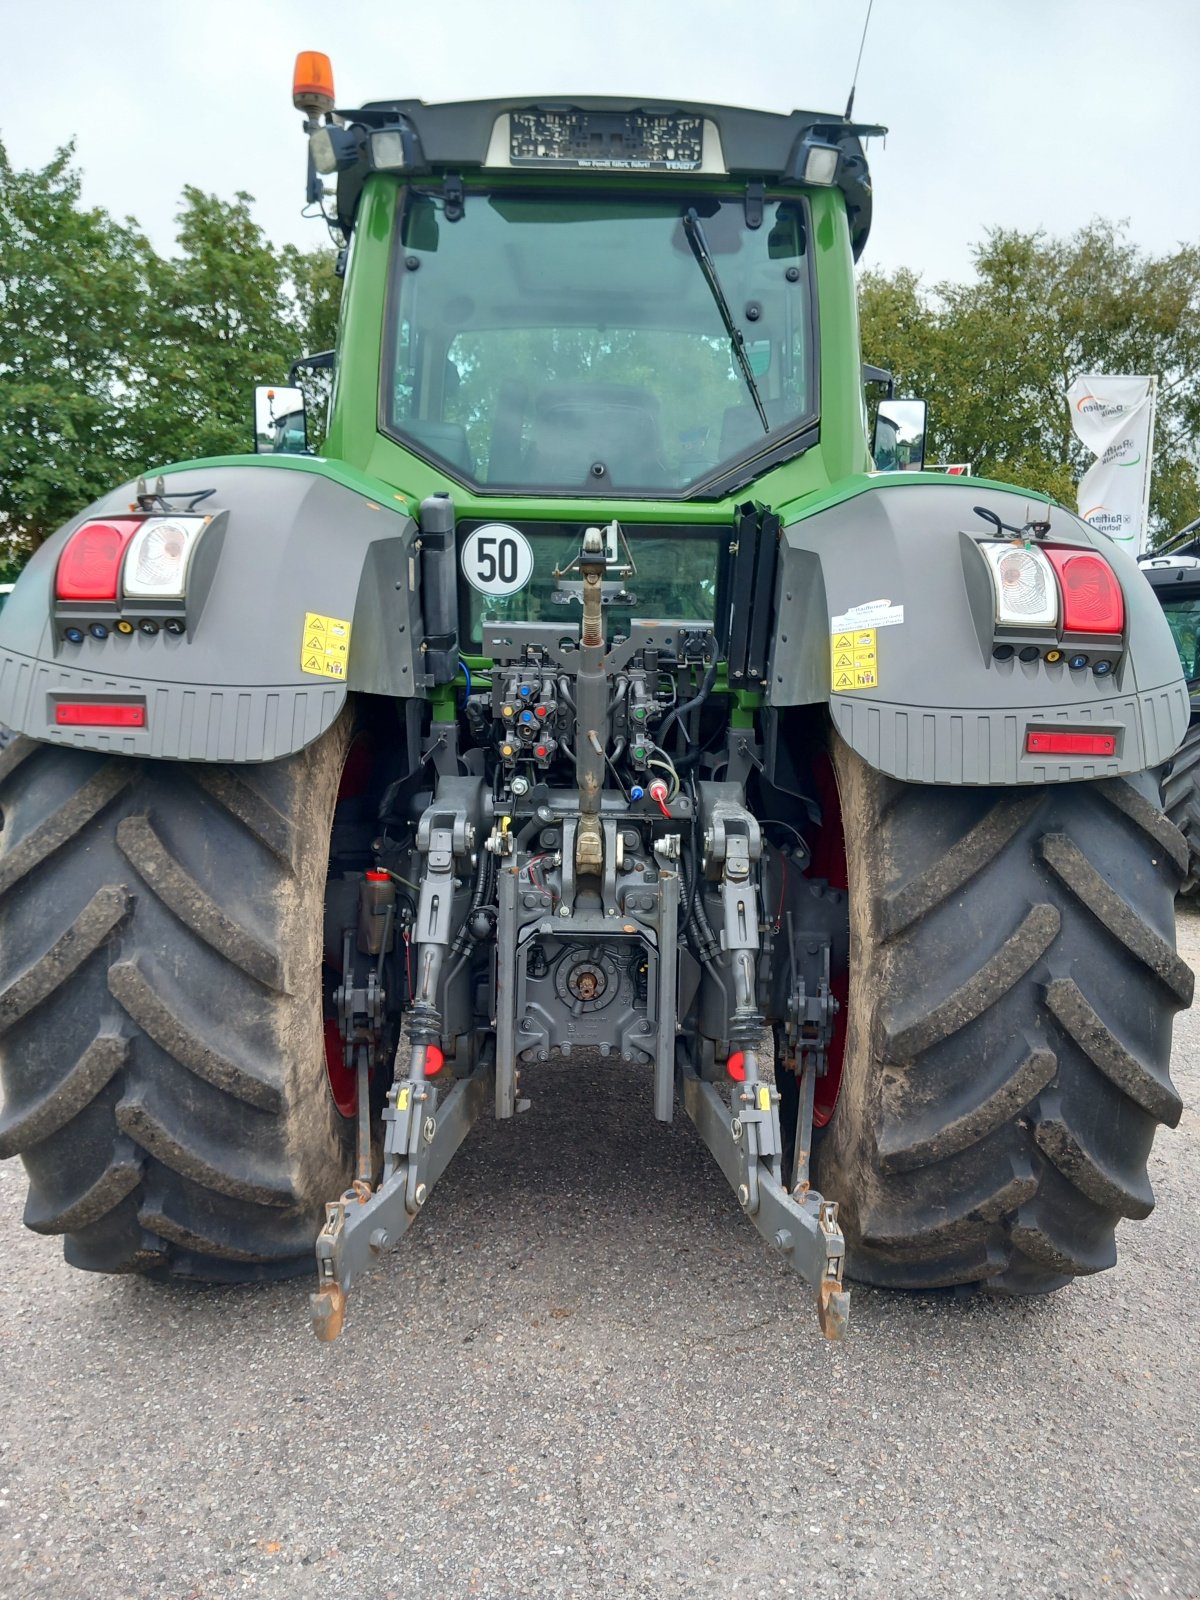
994,358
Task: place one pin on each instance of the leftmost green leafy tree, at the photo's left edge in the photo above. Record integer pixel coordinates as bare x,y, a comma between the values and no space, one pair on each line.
73,287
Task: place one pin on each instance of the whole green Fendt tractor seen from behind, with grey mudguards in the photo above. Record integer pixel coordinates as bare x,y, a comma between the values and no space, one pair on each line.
591,692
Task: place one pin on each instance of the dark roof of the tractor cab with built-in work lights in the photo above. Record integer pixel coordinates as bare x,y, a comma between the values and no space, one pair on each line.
607,135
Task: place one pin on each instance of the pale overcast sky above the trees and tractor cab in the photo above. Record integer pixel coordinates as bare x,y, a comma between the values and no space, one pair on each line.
1015,113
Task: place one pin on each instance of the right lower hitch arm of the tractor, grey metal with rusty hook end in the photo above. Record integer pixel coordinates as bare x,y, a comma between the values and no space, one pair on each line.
801,1225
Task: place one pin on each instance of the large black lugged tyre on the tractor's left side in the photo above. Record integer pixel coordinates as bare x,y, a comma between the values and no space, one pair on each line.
161,1007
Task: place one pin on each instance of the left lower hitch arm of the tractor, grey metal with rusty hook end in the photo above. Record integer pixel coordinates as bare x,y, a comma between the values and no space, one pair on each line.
420,1143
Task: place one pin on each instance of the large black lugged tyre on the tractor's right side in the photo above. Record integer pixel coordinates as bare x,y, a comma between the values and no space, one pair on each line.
1012,986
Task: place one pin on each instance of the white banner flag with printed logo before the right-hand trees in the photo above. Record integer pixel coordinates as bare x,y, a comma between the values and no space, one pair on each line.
1114,417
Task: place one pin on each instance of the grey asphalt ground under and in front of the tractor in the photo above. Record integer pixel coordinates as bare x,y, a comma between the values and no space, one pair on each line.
583,1375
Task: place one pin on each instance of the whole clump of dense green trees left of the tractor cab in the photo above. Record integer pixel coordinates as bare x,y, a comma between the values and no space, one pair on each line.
114,359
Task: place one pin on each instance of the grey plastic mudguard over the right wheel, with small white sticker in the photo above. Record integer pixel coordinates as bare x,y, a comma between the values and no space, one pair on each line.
945,711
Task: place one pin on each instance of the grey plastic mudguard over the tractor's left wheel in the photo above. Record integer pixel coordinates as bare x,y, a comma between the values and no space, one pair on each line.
233,689
